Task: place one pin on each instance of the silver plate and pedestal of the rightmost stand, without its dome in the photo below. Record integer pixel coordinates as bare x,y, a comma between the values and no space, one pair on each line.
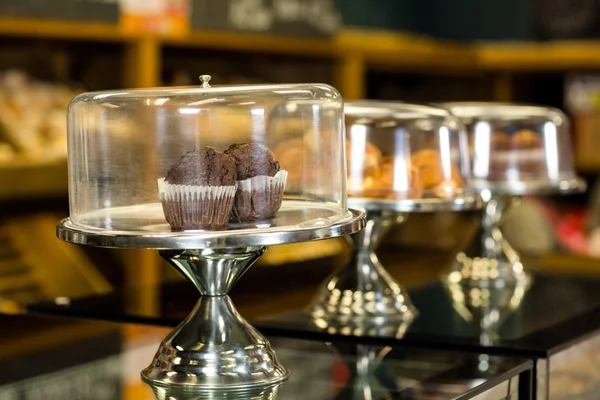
490,261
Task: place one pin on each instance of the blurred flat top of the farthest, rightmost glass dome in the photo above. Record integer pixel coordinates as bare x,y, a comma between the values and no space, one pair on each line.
483,109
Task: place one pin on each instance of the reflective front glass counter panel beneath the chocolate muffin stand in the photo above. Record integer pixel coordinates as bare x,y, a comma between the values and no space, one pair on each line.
101,361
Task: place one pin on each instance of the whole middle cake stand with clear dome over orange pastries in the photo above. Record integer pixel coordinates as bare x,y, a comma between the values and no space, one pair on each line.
401,158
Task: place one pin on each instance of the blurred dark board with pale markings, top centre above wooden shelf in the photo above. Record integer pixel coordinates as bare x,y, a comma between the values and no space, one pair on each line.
284,17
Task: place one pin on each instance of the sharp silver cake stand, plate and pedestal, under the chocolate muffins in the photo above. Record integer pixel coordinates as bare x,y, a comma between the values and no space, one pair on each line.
214,348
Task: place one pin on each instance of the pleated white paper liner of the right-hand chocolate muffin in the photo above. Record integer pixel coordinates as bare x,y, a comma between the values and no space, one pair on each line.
258,197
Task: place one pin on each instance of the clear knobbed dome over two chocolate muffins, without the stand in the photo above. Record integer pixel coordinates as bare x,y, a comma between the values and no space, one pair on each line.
203,161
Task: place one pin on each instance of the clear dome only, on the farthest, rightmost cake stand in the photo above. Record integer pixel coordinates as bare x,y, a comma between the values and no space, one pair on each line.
518,148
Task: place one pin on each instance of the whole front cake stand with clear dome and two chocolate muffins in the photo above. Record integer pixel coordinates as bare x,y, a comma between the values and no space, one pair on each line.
155,168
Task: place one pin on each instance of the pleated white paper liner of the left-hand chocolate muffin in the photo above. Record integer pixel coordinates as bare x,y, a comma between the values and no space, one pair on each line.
196,207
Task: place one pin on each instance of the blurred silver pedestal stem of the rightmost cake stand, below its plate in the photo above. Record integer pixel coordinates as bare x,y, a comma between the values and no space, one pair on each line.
489,260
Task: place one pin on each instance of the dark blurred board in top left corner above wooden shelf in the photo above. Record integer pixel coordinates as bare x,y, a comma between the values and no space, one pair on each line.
75,10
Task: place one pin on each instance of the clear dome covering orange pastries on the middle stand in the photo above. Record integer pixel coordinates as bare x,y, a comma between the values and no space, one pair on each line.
405,154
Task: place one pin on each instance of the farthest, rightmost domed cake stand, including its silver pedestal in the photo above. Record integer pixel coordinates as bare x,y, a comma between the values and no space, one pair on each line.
516,150
